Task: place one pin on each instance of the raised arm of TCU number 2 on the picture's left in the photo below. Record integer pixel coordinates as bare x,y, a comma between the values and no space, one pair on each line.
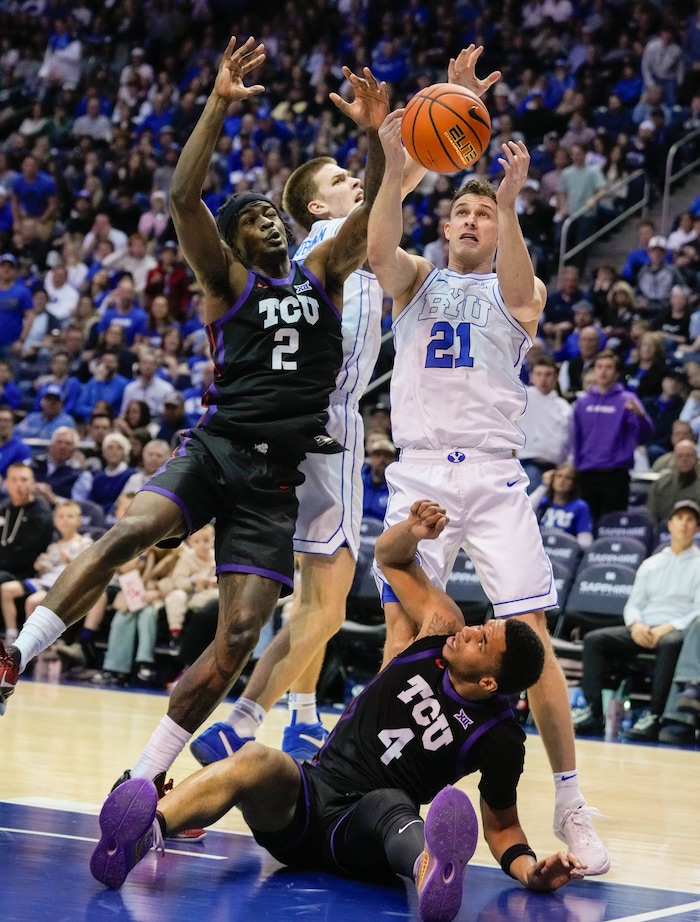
196,227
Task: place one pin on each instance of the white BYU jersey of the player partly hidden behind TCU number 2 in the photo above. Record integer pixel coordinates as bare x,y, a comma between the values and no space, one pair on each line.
362,312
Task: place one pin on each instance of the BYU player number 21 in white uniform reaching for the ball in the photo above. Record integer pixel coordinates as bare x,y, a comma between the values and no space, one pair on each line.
461,335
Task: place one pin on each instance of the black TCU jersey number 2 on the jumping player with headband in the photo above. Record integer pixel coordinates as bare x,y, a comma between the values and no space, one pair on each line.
276,352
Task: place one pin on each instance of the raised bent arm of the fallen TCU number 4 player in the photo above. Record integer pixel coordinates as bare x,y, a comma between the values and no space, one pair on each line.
427,606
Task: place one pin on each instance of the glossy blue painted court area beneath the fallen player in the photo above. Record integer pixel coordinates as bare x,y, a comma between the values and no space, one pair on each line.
44,875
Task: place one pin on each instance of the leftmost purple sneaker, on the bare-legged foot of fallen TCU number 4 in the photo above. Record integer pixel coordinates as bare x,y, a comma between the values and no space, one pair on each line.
129,829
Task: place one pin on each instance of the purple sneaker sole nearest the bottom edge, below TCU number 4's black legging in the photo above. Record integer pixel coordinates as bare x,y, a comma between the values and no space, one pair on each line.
451,832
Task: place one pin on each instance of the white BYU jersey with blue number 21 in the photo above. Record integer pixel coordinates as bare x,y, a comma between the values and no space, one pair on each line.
456,380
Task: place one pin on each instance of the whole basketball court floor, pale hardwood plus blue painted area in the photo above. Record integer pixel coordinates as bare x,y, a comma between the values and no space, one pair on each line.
64,746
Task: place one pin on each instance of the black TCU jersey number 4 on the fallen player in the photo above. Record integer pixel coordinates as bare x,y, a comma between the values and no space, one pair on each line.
410,730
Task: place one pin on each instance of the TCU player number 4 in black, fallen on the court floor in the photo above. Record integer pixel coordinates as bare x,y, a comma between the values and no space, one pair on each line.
436,713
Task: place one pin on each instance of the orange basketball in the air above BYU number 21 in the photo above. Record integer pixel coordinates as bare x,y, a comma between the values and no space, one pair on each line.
445,128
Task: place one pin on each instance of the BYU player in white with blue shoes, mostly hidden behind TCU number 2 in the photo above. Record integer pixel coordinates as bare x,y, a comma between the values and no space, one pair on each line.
319,195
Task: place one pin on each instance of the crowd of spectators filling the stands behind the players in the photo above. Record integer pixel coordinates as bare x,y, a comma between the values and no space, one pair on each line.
103,358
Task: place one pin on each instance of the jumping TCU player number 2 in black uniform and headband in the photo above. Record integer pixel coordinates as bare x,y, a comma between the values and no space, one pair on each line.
275,336
